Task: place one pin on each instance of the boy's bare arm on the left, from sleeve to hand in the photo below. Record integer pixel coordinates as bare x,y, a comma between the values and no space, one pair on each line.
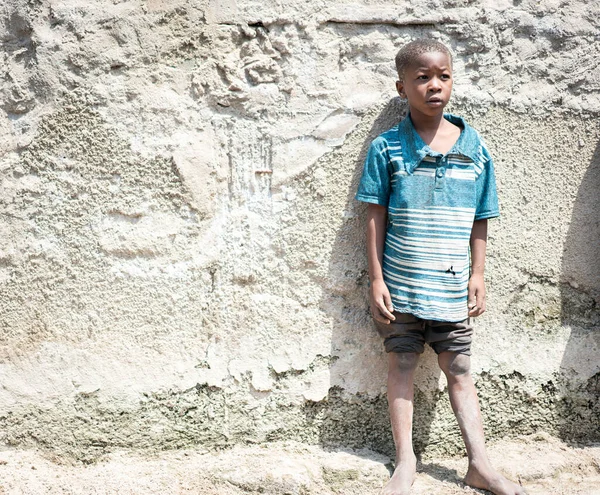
381,302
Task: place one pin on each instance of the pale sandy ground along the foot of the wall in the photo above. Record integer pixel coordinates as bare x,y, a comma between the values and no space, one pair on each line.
543,464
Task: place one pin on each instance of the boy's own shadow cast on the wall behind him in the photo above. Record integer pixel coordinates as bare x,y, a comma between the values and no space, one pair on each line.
349,416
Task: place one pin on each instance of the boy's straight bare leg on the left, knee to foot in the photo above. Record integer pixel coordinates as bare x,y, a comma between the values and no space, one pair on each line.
400,393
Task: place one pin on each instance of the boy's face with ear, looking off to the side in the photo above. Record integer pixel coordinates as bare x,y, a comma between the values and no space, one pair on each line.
427,84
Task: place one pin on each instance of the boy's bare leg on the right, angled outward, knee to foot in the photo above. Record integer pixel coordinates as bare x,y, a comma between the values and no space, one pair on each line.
465,405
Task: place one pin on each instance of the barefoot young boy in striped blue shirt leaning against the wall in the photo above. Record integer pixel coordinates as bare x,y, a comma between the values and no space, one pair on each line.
429,182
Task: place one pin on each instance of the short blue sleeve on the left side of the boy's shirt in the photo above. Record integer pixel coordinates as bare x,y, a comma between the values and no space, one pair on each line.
374,186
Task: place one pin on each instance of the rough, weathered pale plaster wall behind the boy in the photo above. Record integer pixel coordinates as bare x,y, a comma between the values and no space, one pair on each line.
181,257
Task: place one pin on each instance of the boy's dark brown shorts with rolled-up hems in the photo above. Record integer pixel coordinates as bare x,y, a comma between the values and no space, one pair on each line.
407,333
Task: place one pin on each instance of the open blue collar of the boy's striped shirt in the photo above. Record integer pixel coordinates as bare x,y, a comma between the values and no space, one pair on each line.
414,149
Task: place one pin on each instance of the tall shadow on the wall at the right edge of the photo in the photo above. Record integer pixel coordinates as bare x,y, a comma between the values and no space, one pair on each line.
579,408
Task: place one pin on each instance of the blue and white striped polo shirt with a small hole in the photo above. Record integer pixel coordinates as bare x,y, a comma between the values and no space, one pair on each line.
432,200
